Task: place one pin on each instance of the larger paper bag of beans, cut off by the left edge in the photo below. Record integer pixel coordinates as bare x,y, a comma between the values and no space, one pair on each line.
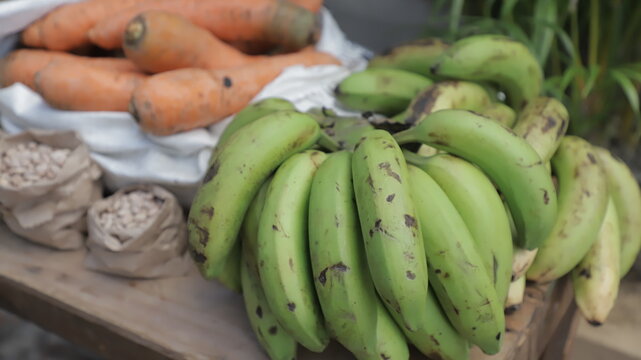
47,183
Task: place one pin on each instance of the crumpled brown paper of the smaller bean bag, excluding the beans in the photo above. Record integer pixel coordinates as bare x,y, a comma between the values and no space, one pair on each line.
157,250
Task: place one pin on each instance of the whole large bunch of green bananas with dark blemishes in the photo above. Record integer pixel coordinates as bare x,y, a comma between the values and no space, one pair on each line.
419,226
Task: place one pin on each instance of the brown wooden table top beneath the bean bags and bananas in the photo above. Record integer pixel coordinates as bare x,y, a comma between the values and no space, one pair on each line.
190,318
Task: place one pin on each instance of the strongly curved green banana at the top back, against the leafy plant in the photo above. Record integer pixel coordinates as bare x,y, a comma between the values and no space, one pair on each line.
494,58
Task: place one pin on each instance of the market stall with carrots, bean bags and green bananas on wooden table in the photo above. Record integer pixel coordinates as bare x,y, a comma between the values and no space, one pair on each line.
205,179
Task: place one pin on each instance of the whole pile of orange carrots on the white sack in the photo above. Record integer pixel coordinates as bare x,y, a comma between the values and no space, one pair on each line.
187,63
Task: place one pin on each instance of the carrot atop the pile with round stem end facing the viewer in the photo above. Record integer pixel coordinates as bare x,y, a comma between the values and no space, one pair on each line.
158,41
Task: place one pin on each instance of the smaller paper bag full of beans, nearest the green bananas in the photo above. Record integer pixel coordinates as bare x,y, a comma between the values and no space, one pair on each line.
139,232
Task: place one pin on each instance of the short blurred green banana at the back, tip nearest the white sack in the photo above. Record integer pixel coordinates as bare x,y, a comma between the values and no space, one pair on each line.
385,91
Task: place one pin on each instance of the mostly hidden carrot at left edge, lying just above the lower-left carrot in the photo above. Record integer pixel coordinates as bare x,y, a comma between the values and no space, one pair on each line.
22,65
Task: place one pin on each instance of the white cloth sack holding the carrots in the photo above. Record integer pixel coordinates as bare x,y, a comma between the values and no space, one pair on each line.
130,156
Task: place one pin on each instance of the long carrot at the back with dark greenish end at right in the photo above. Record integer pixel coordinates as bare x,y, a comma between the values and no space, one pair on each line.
274,21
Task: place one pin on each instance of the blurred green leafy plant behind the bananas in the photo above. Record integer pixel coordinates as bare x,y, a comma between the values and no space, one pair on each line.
590,51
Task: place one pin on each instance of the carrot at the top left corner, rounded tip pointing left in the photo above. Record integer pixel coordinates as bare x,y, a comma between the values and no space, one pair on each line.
66,27
